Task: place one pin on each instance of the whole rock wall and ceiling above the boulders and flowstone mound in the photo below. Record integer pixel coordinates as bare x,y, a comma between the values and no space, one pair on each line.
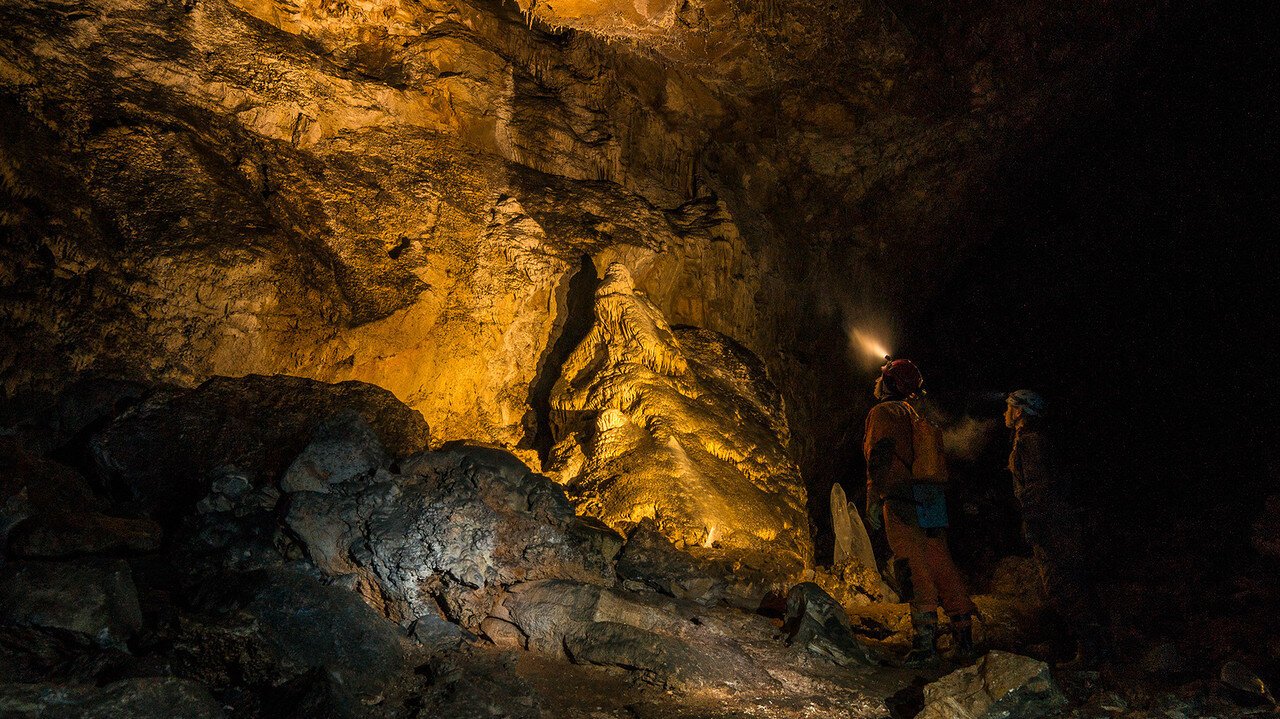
401,191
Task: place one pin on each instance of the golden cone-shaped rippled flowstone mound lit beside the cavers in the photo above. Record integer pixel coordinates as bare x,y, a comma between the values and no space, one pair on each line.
682,428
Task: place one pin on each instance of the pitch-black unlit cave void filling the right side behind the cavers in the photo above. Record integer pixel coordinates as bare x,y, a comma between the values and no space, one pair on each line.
1133,286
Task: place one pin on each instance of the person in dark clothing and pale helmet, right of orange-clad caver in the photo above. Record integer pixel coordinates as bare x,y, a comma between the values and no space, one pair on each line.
1050,525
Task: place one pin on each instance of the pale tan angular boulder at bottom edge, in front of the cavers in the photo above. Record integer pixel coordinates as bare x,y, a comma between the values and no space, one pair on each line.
998,686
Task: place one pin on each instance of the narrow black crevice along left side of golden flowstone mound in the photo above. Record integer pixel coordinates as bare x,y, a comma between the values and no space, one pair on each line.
579,314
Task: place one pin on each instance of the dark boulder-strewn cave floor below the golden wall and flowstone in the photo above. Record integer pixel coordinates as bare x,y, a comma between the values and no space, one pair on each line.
277,547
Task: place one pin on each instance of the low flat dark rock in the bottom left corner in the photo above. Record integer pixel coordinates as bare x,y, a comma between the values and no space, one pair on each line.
163,698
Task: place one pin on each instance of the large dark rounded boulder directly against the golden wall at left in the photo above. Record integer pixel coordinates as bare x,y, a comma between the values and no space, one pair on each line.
168,451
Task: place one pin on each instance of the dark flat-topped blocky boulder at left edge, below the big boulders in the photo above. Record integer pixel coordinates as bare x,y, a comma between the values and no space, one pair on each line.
92,598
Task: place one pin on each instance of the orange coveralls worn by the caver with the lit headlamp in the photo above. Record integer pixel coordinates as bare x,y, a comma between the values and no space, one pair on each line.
889,452
